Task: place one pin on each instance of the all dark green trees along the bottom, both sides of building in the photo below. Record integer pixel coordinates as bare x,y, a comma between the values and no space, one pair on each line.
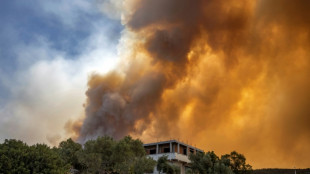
106,155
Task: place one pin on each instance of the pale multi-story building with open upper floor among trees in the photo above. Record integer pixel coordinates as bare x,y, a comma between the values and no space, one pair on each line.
176,151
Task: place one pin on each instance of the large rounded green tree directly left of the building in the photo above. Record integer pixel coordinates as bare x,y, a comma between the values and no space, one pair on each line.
105,155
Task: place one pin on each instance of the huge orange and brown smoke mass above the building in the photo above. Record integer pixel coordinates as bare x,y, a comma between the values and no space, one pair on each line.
222,75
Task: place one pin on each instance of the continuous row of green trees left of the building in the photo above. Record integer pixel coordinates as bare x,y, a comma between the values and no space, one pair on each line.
103,155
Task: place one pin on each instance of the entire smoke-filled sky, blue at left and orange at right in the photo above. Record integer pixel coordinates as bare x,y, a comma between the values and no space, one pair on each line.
218,75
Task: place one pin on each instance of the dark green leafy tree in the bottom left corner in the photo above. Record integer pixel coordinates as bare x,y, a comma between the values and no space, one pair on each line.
18,157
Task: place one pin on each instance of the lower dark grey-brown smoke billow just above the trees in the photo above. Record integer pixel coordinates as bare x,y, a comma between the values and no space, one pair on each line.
113,108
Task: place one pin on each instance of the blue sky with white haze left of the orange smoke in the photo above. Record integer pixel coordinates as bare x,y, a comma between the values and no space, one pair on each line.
48,50
